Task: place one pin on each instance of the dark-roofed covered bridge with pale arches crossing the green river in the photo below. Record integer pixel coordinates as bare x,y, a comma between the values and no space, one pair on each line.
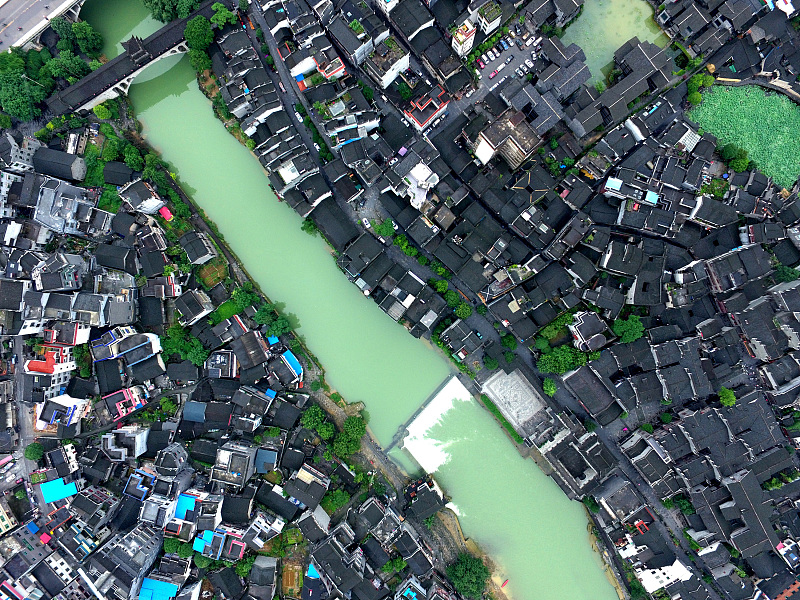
115,77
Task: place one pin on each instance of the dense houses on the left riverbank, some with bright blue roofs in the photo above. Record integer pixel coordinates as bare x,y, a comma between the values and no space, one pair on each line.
158,474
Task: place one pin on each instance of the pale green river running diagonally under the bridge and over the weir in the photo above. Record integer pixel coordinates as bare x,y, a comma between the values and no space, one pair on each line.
537,537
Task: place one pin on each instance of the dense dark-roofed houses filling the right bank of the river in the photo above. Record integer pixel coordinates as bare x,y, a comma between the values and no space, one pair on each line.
550,196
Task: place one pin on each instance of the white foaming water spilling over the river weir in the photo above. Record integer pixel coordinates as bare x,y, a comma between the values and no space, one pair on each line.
431,453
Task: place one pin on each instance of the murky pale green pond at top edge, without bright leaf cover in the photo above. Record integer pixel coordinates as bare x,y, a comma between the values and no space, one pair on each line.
605,25
